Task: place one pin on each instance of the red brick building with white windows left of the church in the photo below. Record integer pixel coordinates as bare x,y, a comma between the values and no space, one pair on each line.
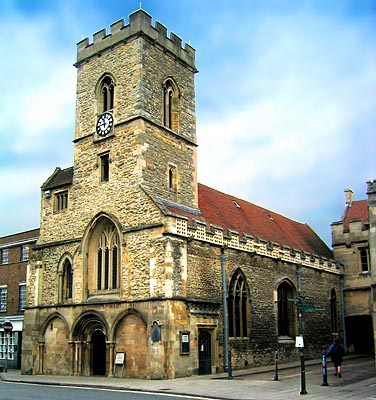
15,251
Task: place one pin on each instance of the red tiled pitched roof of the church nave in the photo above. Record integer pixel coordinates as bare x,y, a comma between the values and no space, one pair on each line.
229,212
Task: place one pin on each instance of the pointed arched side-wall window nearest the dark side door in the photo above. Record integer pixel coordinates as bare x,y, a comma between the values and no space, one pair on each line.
238,305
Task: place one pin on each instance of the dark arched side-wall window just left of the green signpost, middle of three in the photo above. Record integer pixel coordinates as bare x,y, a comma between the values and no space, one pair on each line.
286,310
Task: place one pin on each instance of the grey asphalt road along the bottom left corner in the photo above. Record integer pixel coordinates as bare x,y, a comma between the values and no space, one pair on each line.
24,391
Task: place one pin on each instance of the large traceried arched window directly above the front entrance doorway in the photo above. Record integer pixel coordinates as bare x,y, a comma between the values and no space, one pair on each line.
108,259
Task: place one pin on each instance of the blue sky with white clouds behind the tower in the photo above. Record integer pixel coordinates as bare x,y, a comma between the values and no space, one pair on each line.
285,98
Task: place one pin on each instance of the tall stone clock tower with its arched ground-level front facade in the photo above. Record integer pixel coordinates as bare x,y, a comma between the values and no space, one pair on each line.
102,225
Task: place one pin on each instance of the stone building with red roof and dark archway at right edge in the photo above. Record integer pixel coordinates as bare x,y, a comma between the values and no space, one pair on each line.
354,245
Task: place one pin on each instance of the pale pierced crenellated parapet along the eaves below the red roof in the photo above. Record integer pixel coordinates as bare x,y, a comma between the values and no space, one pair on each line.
198,230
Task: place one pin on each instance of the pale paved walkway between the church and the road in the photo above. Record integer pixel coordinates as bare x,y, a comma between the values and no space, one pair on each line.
249,384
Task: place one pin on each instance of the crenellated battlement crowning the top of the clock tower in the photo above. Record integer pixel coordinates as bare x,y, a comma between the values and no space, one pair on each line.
139,24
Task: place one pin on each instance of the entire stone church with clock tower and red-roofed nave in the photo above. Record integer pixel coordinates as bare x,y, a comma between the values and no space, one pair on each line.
126,276
